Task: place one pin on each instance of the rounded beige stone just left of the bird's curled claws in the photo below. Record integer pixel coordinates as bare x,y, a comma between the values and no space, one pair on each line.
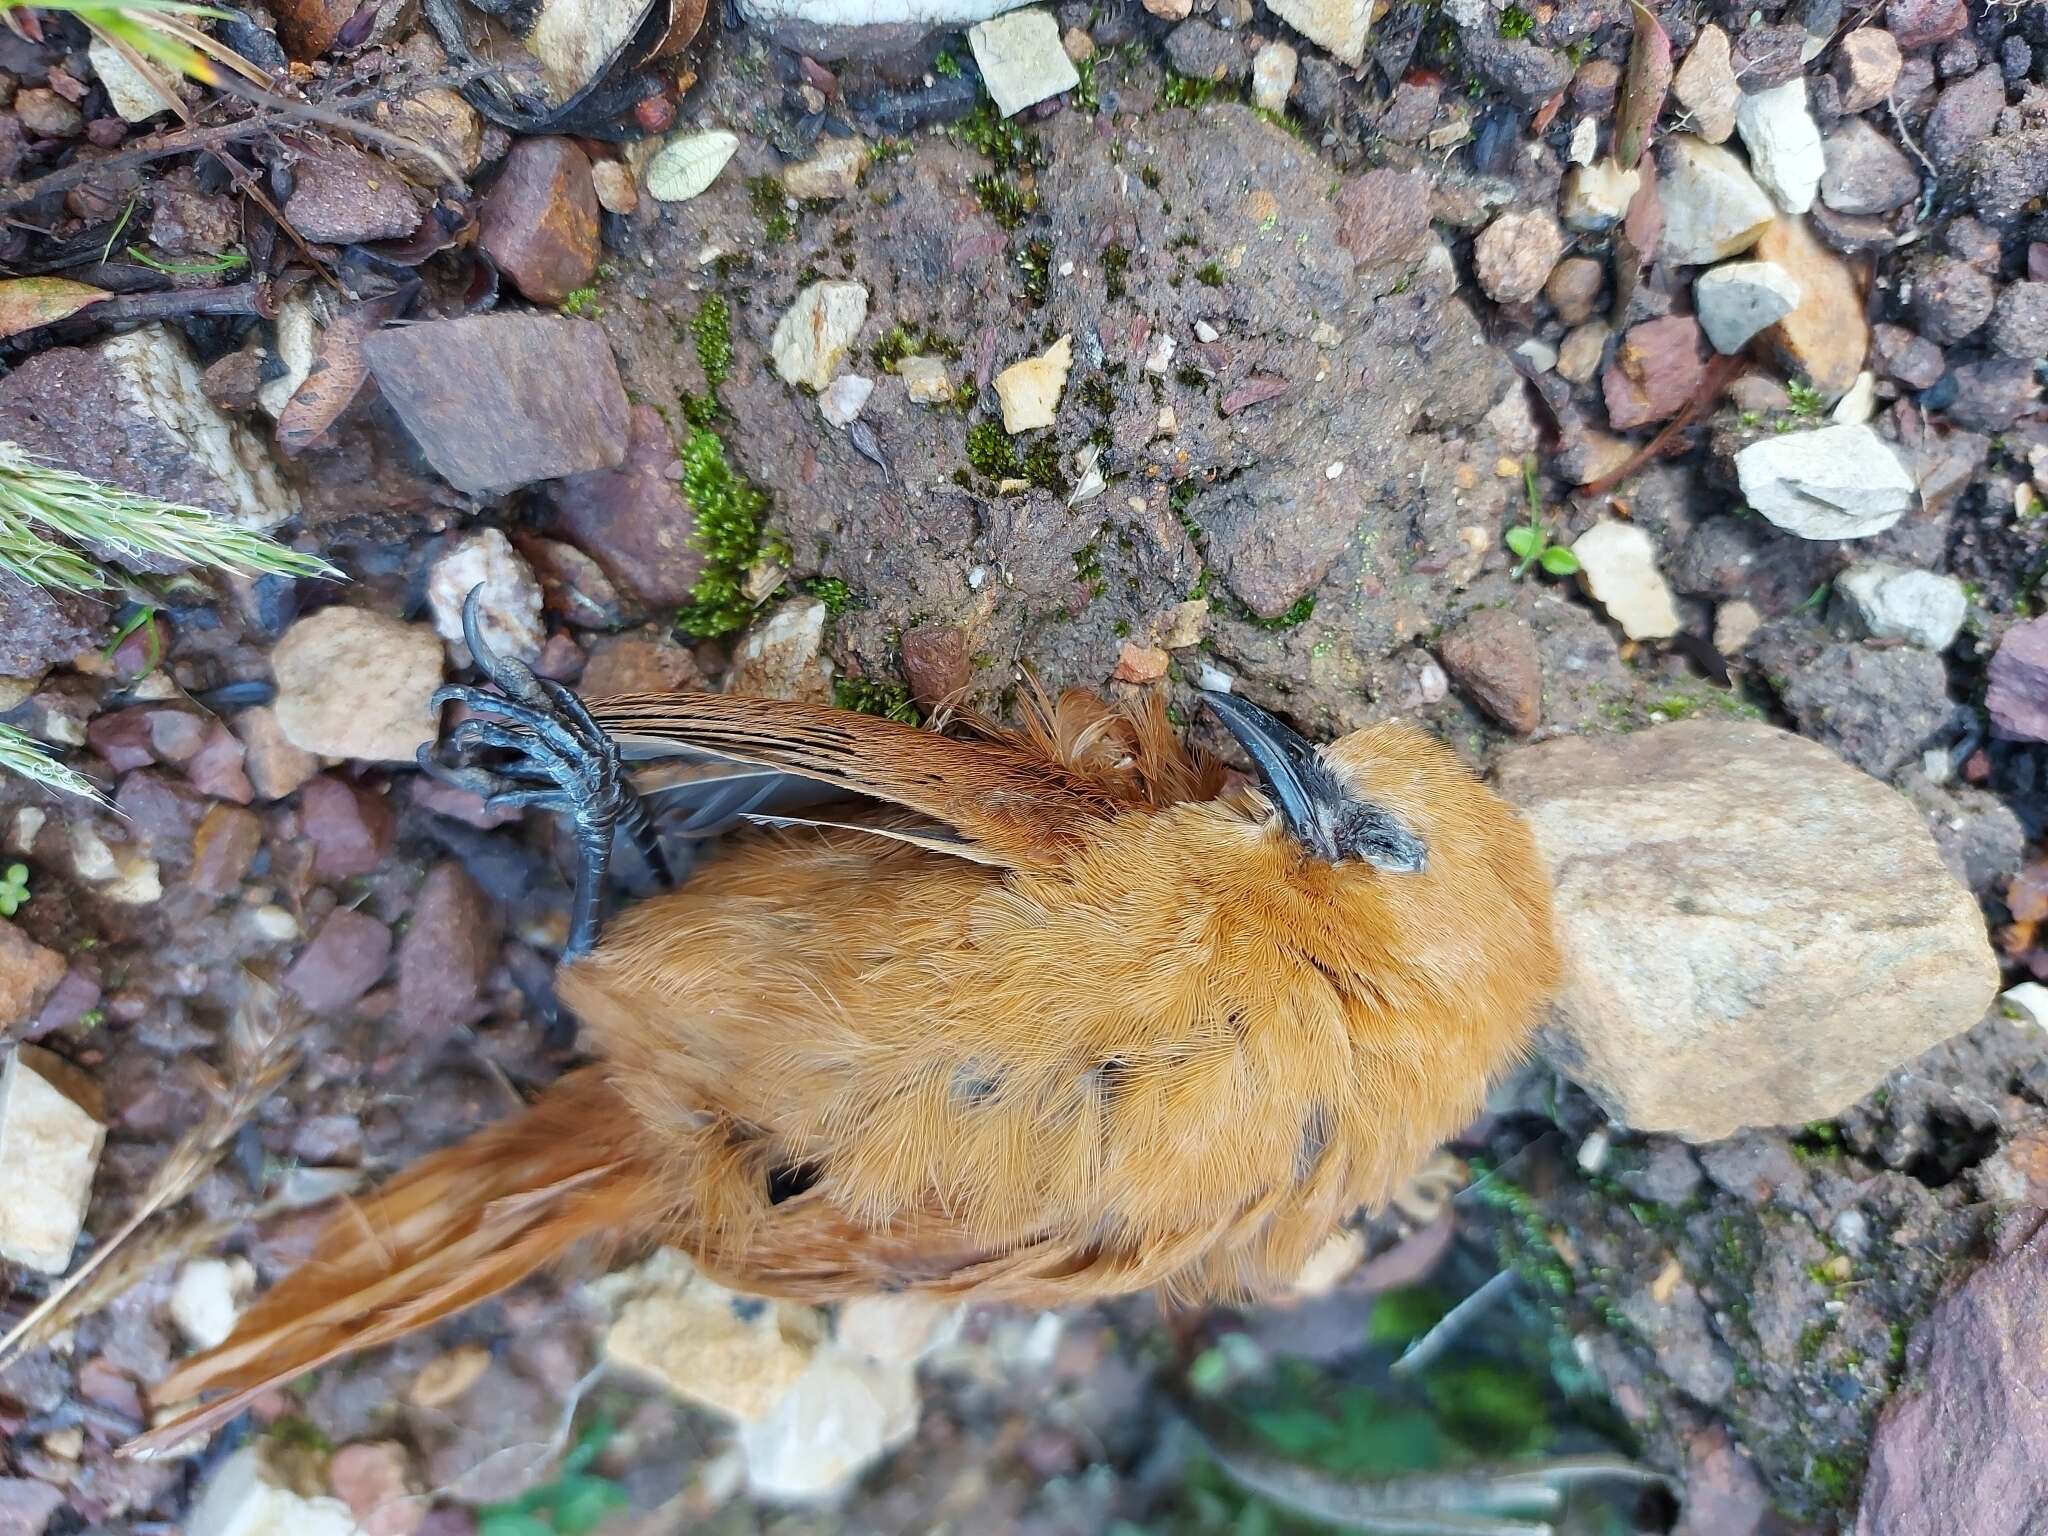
357,685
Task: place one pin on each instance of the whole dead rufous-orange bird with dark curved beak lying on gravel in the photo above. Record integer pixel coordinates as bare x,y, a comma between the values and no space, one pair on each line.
1035,1015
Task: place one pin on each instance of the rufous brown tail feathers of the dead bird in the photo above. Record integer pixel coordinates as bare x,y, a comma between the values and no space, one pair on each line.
450,1232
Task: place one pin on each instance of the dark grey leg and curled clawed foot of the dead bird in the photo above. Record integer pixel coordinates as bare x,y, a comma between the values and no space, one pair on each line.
562,761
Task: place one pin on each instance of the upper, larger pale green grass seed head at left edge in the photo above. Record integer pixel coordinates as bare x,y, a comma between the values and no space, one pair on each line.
38,501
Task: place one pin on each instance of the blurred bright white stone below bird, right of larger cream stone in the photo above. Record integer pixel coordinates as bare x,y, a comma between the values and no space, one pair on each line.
839,1420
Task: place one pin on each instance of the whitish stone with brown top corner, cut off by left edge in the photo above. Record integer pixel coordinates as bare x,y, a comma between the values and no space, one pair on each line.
50,1146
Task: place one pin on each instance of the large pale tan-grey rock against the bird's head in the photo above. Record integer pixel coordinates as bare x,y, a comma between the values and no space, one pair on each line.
1756,933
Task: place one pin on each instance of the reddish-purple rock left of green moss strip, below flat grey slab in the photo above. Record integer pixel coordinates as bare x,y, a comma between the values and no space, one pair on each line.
634,519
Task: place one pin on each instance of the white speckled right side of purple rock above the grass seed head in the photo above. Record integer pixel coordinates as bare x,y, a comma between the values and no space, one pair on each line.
159,380
